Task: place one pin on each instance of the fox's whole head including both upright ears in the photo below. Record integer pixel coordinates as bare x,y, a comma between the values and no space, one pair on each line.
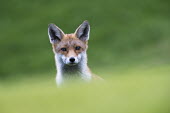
69,48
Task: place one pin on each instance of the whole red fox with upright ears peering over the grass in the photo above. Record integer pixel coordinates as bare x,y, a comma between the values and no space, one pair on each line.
70,52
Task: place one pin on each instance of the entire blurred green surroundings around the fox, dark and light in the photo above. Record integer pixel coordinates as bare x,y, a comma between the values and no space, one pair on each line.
129,47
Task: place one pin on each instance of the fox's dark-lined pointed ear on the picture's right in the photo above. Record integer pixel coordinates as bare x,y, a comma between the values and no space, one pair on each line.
83,31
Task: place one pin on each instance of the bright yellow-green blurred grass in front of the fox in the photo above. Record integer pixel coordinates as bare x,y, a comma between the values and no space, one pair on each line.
131,91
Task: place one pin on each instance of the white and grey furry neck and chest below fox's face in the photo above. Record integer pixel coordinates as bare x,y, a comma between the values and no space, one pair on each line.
64,71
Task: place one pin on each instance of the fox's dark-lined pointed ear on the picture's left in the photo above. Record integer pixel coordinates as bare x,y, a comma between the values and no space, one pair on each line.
55,33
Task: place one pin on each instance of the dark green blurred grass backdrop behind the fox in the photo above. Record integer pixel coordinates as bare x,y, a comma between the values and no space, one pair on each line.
122,32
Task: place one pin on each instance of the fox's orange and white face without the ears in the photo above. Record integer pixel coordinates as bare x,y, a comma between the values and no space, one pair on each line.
70,49
